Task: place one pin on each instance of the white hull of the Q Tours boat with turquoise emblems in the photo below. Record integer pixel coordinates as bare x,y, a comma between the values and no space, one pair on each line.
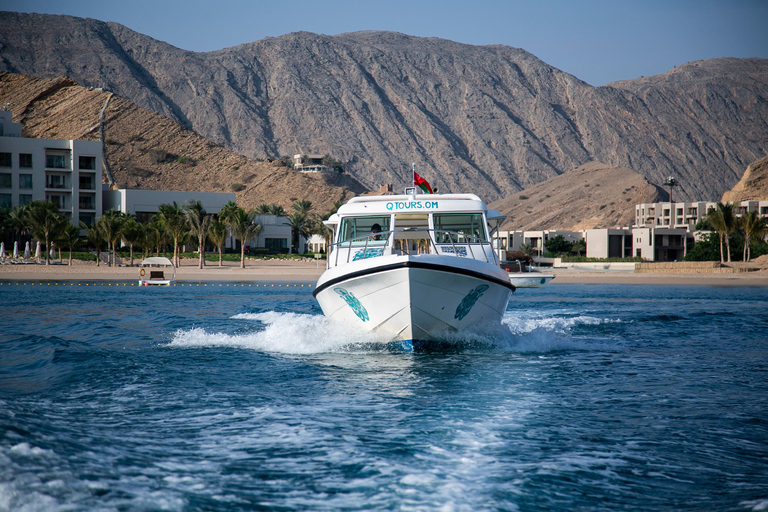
415,297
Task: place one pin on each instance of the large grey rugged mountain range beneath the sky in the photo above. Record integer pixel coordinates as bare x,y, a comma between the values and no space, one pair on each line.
492,120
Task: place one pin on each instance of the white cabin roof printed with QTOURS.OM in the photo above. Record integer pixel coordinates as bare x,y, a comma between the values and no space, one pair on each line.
422,203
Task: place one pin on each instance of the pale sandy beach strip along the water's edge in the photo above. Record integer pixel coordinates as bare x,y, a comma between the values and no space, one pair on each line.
309,271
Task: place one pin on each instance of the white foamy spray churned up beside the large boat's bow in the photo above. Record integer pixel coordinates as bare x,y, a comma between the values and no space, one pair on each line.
292,333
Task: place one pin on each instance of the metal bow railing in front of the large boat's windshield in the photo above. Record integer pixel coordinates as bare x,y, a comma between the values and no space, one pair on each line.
379,244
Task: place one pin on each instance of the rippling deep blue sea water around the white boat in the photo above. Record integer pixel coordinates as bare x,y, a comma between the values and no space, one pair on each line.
232,396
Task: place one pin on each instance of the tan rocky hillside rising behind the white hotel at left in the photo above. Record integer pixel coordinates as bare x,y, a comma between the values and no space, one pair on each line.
147,150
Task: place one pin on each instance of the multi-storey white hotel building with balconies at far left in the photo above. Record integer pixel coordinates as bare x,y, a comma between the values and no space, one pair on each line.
65,172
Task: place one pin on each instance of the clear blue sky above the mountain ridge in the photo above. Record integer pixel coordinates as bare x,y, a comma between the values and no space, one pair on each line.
598,41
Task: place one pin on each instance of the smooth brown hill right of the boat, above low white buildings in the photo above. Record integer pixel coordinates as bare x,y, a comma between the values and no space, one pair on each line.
592,196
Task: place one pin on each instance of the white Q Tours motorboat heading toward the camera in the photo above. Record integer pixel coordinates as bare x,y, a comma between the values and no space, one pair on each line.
427,268
